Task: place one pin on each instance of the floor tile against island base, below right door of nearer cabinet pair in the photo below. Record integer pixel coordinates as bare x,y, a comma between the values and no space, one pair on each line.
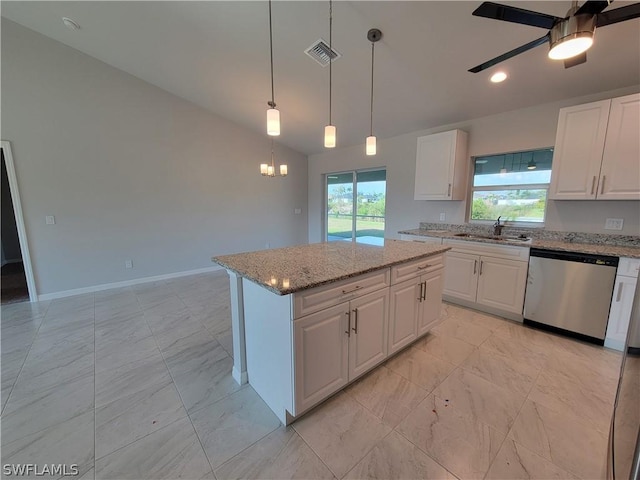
387,395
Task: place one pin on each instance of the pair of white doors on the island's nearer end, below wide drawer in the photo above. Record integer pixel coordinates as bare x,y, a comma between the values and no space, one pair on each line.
338,344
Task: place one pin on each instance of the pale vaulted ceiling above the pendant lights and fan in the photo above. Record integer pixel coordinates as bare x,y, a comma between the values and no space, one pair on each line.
216,55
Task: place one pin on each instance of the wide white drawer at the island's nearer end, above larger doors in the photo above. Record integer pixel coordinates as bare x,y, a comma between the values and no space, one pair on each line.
319,298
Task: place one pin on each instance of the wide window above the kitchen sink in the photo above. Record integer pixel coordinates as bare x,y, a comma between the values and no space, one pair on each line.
513,186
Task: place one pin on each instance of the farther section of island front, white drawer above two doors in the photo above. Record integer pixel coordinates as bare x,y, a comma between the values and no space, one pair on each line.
415,300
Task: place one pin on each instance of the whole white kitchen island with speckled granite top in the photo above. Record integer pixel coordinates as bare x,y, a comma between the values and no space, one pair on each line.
310,319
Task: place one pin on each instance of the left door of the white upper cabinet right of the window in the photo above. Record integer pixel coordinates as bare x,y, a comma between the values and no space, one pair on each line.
578,151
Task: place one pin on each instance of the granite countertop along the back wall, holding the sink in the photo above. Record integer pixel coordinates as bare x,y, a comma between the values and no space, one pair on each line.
601,248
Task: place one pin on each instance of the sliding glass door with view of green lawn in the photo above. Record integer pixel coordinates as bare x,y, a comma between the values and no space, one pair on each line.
356,206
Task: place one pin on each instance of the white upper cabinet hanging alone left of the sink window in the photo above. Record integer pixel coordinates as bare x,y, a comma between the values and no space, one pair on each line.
441,166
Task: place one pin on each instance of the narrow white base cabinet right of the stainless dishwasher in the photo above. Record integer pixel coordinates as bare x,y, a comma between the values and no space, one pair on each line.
622,303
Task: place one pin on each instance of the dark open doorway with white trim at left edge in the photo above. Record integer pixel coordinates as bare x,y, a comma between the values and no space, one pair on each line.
17,284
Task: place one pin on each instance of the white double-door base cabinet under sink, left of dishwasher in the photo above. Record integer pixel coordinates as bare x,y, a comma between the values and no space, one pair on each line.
487,280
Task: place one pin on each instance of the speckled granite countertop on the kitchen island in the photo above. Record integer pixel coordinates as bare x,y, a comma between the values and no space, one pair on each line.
292,269
